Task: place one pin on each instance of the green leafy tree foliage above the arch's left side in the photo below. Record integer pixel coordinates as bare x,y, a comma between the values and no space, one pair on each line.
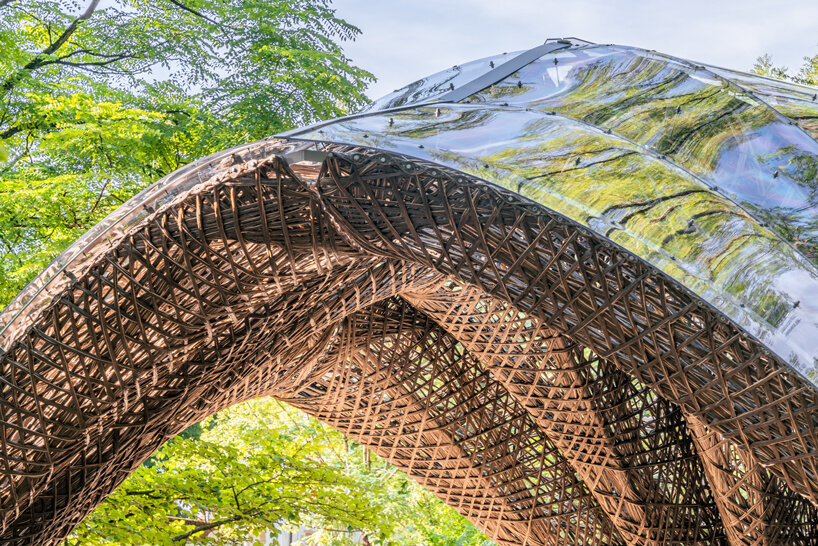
98,102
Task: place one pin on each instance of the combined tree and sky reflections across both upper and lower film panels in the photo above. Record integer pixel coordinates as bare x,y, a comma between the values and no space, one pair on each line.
639,144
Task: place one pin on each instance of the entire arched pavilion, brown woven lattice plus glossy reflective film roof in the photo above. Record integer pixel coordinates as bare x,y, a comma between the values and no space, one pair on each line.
568,290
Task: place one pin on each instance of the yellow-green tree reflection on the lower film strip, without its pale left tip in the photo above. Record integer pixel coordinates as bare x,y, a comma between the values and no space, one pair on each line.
653,200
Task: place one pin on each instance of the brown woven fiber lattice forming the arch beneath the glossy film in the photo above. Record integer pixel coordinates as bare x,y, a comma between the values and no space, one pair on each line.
547,385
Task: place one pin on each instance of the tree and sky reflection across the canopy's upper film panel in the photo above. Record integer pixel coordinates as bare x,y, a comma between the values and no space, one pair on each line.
658,104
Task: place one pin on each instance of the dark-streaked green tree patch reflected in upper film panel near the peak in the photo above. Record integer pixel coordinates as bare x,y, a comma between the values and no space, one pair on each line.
659,104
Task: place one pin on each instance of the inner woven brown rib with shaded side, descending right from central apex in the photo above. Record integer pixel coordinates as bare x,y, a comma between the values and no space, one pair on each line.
630,446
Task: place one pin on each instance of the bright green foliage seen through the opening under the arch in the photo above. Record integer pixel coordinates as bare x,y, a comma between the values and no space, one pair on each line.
264,466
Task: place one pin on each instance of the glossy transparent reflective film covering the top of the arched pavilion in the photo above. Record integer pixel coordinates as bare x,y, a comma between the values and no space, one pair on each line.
708,174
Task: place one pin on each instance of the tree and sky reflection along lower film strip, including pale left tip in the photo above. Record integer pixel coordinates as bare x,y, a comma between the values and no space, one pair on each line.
587,174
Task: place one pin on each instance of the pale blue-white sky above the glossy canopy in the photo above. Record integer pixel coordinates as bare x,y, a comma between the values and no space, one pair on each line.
405,40
